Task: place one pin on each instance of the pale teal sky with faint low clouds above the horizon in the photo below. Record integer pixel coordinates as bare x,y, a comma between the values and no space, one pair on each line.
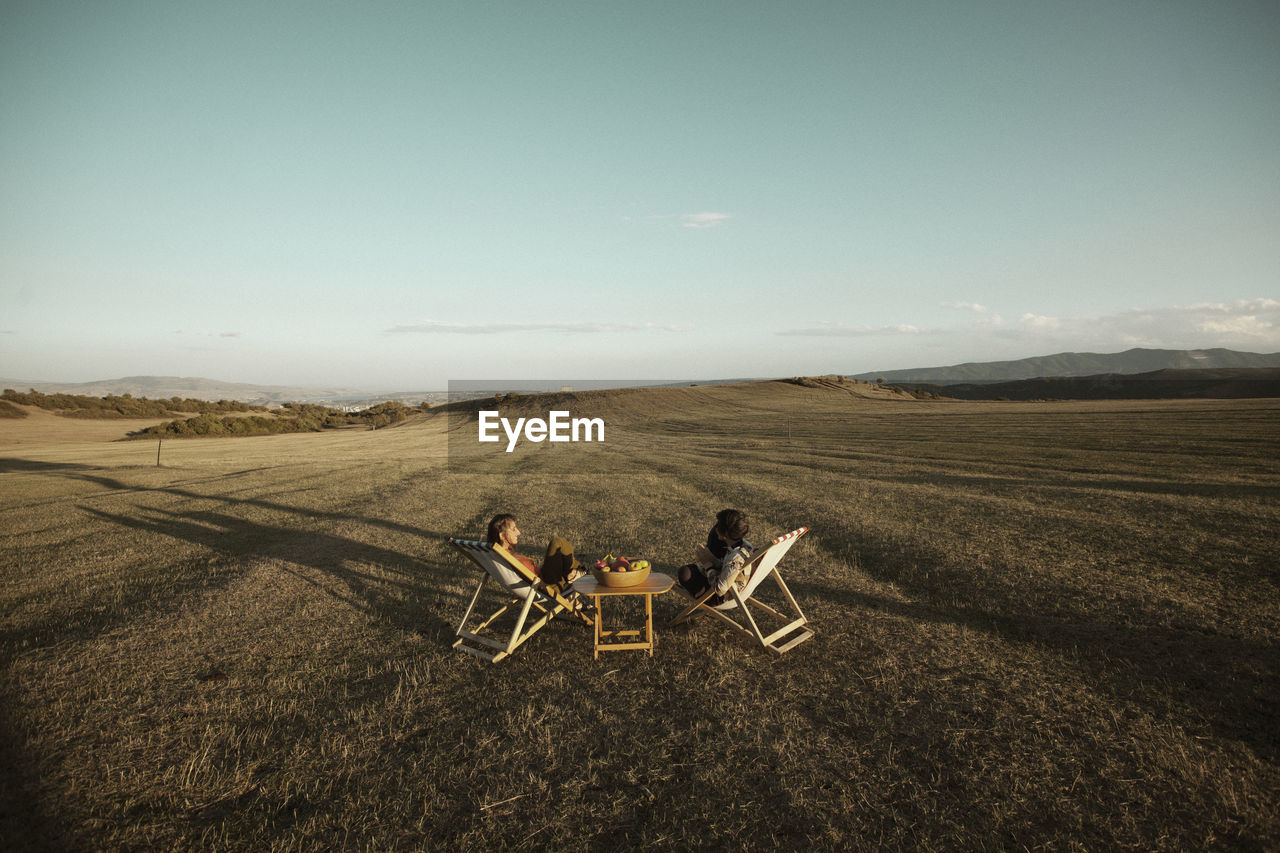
394,195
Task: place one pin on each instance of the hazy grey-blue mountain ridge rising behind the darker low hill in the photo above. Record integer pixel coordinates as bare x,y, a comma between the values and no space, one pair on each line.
1076,364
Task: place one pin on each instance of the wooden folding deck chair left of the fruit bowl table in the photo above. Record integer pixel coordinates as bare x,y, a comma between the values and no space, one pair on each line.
524,586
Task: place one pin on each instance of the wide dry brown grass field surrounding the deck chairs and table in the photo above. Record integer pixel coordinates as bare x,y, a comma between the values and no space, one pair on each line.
1039,626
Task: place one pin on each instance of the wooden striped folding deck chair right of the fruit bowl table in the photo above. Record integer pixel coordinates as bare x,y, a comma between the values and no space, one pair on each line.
764,565
